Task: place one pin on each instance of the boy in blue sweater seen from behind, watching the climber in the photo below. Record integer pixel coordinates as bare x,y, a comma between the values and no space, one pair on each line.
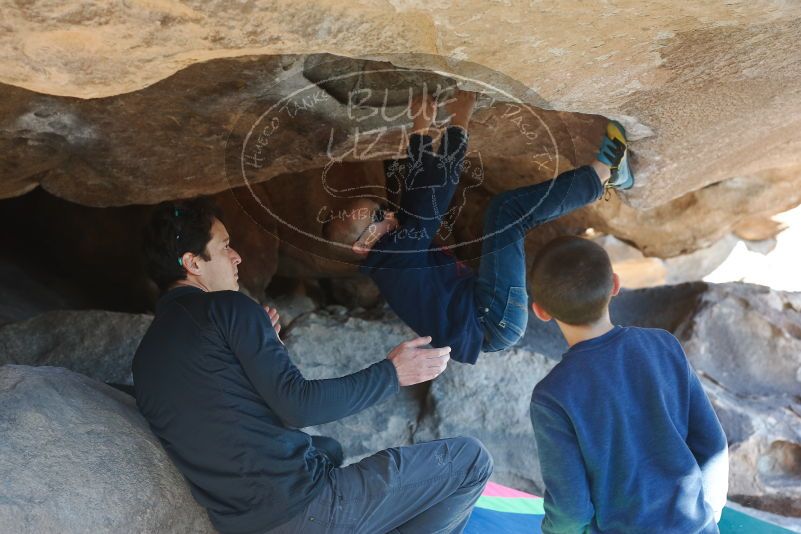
626,437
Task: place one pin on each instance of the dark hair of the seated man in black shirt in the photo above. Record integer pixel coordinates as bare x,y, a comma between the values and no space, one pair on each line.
174,229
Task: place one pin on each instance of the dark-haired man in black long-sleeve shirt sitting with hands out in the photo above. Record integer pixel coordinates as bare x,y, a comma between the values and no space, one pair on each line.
218,388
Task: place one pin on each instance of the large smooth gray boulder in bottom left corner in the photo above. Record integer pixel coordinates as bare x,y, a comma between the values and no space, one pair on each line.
76,456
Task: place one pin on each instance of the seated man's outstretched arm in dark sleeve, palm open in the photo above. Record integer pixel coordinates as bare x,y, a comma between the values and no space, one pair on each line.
300,402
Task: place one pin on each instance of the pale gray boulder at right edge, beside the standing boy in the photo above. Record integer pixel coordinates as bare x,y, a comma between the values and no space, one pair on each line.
745,340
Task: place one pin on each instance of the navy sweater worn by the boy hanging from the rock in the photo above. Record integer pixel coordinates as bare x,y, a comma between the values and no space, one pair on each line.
429,289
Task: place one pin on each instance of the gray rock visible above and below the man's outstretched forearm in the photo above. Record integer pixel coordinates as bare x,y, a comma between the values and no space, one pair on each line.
327,345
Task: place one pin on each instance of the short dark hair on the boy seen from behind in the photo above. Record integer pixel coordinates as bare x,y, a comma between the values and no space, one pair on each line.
572,280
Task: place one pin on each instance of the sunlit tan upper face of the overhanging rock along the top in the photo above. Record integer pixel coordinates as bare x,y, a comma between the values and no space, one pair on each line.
707,84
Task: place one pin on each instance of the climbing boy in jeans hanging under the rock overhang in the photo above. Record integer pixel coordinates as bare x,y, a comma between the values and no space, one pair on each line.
435,294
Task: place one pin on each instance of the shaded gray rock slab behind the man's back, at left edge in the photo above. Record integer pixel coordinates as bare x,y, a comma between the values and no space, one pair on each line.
98,344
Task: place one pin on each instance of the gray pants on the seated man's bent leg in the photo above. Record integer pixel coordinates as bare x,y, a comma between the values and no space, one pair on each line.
419,489
